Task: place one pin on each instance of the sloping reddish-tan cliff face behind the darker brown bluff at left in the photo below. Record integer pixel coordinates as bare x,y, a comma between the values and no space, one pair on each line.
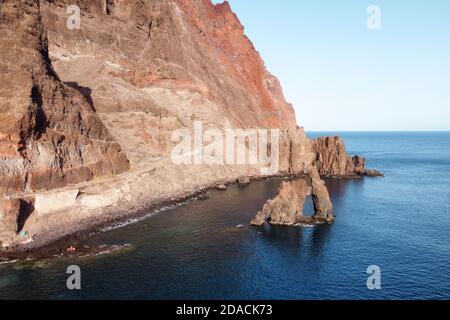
161,65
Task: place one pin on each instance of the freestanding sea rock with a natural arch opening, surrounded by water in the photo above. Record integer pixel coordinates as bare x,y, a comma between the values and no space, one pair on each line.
287,207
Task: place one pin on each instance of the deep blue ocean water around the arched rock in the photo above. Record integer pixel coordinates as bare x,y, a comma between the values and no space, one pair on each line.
400,223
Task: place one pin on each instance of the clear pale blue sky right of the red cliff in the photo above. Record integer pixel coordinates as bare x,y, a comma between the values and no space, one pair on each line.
341,76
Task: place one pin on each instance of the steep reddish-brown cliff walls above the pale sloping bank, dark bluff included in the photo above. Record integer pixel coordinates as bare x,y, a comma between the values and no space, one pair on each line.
80,103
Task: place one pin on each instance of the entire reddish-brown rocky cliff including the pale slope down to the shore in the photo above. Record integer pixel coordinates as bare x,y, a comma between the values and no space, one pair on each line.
87,111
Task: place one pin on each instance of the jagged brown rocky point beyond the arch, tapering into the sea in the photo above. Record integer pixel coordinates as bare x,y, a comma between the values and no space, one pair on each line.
331,159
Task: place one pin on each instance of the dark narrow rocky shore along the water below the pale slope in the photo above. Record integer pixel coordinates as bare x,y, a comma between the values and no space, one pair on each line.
49,242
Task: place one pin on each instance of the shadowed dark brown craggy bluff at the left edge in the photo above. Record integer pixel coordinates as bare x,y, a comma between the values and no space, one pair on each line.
49,134
